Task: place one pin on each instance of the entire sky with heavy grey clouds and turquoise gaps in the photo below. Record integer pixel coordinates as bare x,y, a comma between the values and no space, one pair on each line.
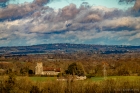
107,22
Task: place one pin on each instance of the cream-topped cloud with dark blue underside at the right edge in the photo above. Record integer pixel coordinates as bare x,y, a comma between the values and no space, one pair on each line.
130,23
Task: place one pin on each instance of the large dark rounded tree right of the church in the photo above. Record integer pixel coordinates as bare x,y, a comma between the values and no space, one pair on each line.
75,69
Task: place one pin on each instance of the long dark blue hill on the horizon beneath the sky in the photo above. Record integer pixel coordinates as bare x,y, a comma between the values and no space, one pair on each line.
68,48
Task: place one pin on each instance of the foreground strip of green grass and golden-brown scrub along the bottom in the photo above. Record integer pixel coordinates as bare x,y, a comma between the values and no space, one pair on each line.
112,84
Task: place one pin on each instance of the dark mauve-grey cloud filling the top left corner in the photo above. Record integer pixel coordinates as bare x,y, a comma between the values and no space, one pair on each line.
14,11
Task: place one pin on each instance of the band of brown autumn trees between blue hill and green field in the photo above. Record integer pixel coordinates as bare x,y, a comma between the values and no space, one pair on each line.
118,64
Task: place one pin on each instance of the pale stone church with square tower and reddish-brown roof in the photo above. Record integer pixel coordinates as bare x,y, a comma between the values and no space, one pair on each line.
41,70
